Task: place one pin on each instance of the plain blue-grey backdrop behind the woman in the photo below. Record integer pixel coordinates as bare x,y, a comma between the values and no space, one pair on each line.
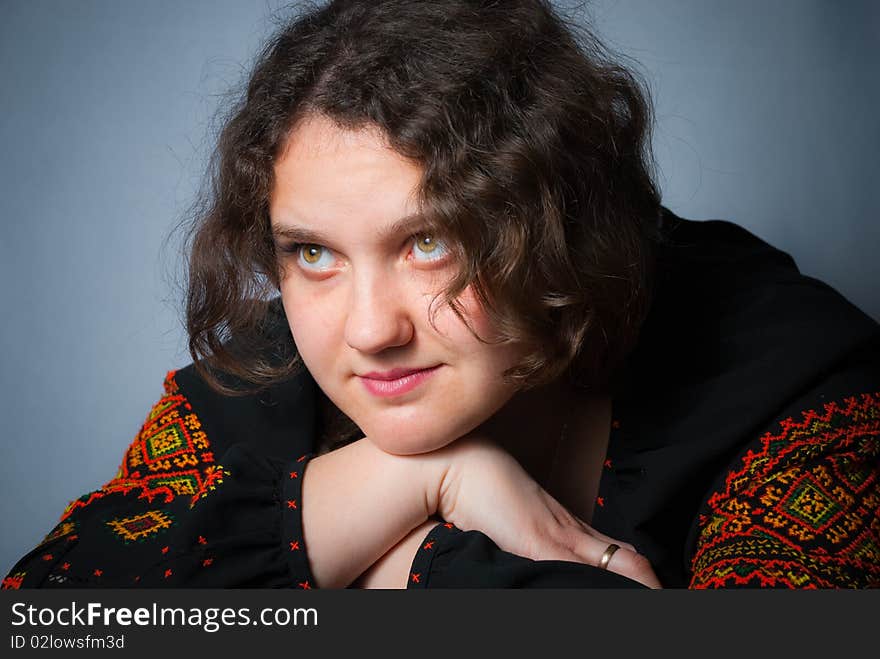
766,115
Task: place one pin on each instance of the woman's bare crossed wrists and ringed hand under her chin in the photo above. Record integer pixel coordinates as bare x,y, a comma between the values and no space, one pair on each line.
361,504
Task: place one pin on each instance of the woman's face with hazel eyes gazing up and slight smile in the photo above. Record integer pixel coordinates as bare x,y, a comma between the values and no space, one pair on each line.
359,278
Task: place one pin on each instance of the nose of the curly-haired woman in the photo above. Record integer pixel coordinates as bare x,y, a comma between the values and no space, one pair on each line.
378,316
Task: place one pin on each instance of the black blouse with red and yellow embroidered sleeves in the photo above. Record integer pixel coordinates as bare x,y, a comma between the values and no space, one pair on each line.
745,451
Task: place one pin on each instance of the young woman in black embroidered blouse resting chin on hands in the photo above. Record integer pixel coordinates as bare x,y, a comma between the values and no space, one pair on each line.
495,359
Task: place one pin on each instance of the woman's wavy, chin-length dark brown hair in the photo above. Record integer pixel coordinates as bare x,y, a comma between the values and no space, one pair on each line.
535,152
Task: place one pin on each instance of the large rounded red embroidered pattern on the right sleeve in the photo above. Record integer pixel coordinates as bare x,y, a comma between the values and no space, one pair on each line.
803,511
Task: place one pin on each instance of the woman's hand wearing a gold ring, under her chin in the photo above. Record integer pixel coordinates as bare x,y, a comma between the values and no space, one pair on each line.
486,489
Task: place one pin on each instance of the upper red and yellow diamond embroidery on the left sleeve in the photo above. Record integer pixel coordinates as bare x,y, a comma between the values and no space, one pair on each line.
169,458
